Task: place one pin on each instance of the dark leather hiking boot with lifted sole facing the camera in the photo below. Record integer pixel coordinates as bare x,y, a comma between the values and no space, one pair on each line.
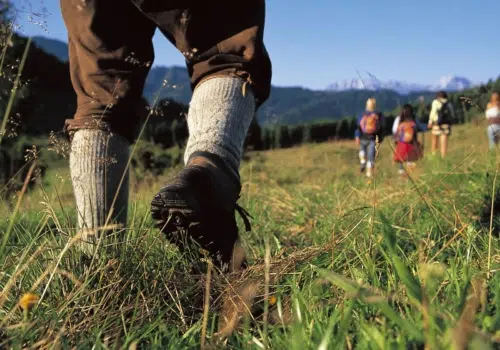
199,204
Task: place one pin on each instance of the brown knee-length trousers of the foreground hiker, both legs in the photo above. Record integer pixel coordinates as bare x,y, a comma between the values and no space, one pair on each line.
111,51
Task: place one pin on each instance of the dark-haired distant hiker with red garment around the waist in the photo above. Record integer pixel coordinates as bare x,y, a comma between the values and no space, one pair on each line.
408,148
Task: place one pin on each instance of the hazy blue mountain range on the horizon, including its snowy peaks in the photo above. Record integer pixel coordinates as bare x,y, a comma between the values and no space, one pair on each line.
291,105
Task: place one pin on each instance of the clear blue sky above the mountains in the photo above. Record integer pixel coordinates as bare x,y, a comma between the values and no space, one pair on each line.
315,42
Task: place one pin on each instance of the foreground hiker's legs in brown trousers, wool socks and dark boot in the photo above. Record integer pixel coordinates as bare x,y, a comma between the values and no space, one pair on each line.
110,55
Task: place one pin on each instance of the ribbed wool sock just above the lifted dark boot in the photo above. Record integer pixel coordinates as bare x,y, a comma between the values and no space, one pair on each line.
219,116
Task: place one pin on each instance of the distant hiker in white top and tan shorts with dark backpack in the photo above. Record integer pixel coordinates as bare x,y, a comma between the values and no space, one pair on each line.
440,120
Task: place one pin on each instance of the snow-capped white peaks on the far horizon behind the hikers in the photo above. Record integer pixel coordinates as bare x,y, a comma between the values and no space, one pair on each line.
448,83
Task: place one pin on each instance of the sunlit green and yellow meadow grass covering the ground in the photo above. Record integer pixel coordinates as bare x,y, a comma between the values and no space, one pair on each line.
337,262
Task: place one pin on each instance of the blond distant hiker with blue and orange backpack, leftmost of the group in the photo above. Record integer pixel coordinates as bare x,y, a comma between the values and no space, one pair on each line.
369,130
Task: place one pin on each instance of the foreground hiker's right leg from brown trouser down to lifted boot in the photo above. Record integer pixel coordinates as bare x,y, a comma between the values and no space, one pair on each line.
230,72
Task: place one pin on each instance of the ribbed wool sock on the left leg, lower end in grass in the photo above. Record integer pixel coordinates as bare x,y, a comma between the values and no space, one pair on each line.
97,162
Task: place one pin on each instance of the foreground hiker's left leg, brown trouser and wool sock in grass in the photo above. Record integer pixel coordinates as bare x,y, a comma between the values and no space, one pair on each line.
109,59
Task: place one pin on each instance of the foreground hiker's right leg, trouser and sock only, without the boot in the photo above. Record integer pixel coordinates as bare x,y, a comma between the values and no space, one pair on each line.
228,64
